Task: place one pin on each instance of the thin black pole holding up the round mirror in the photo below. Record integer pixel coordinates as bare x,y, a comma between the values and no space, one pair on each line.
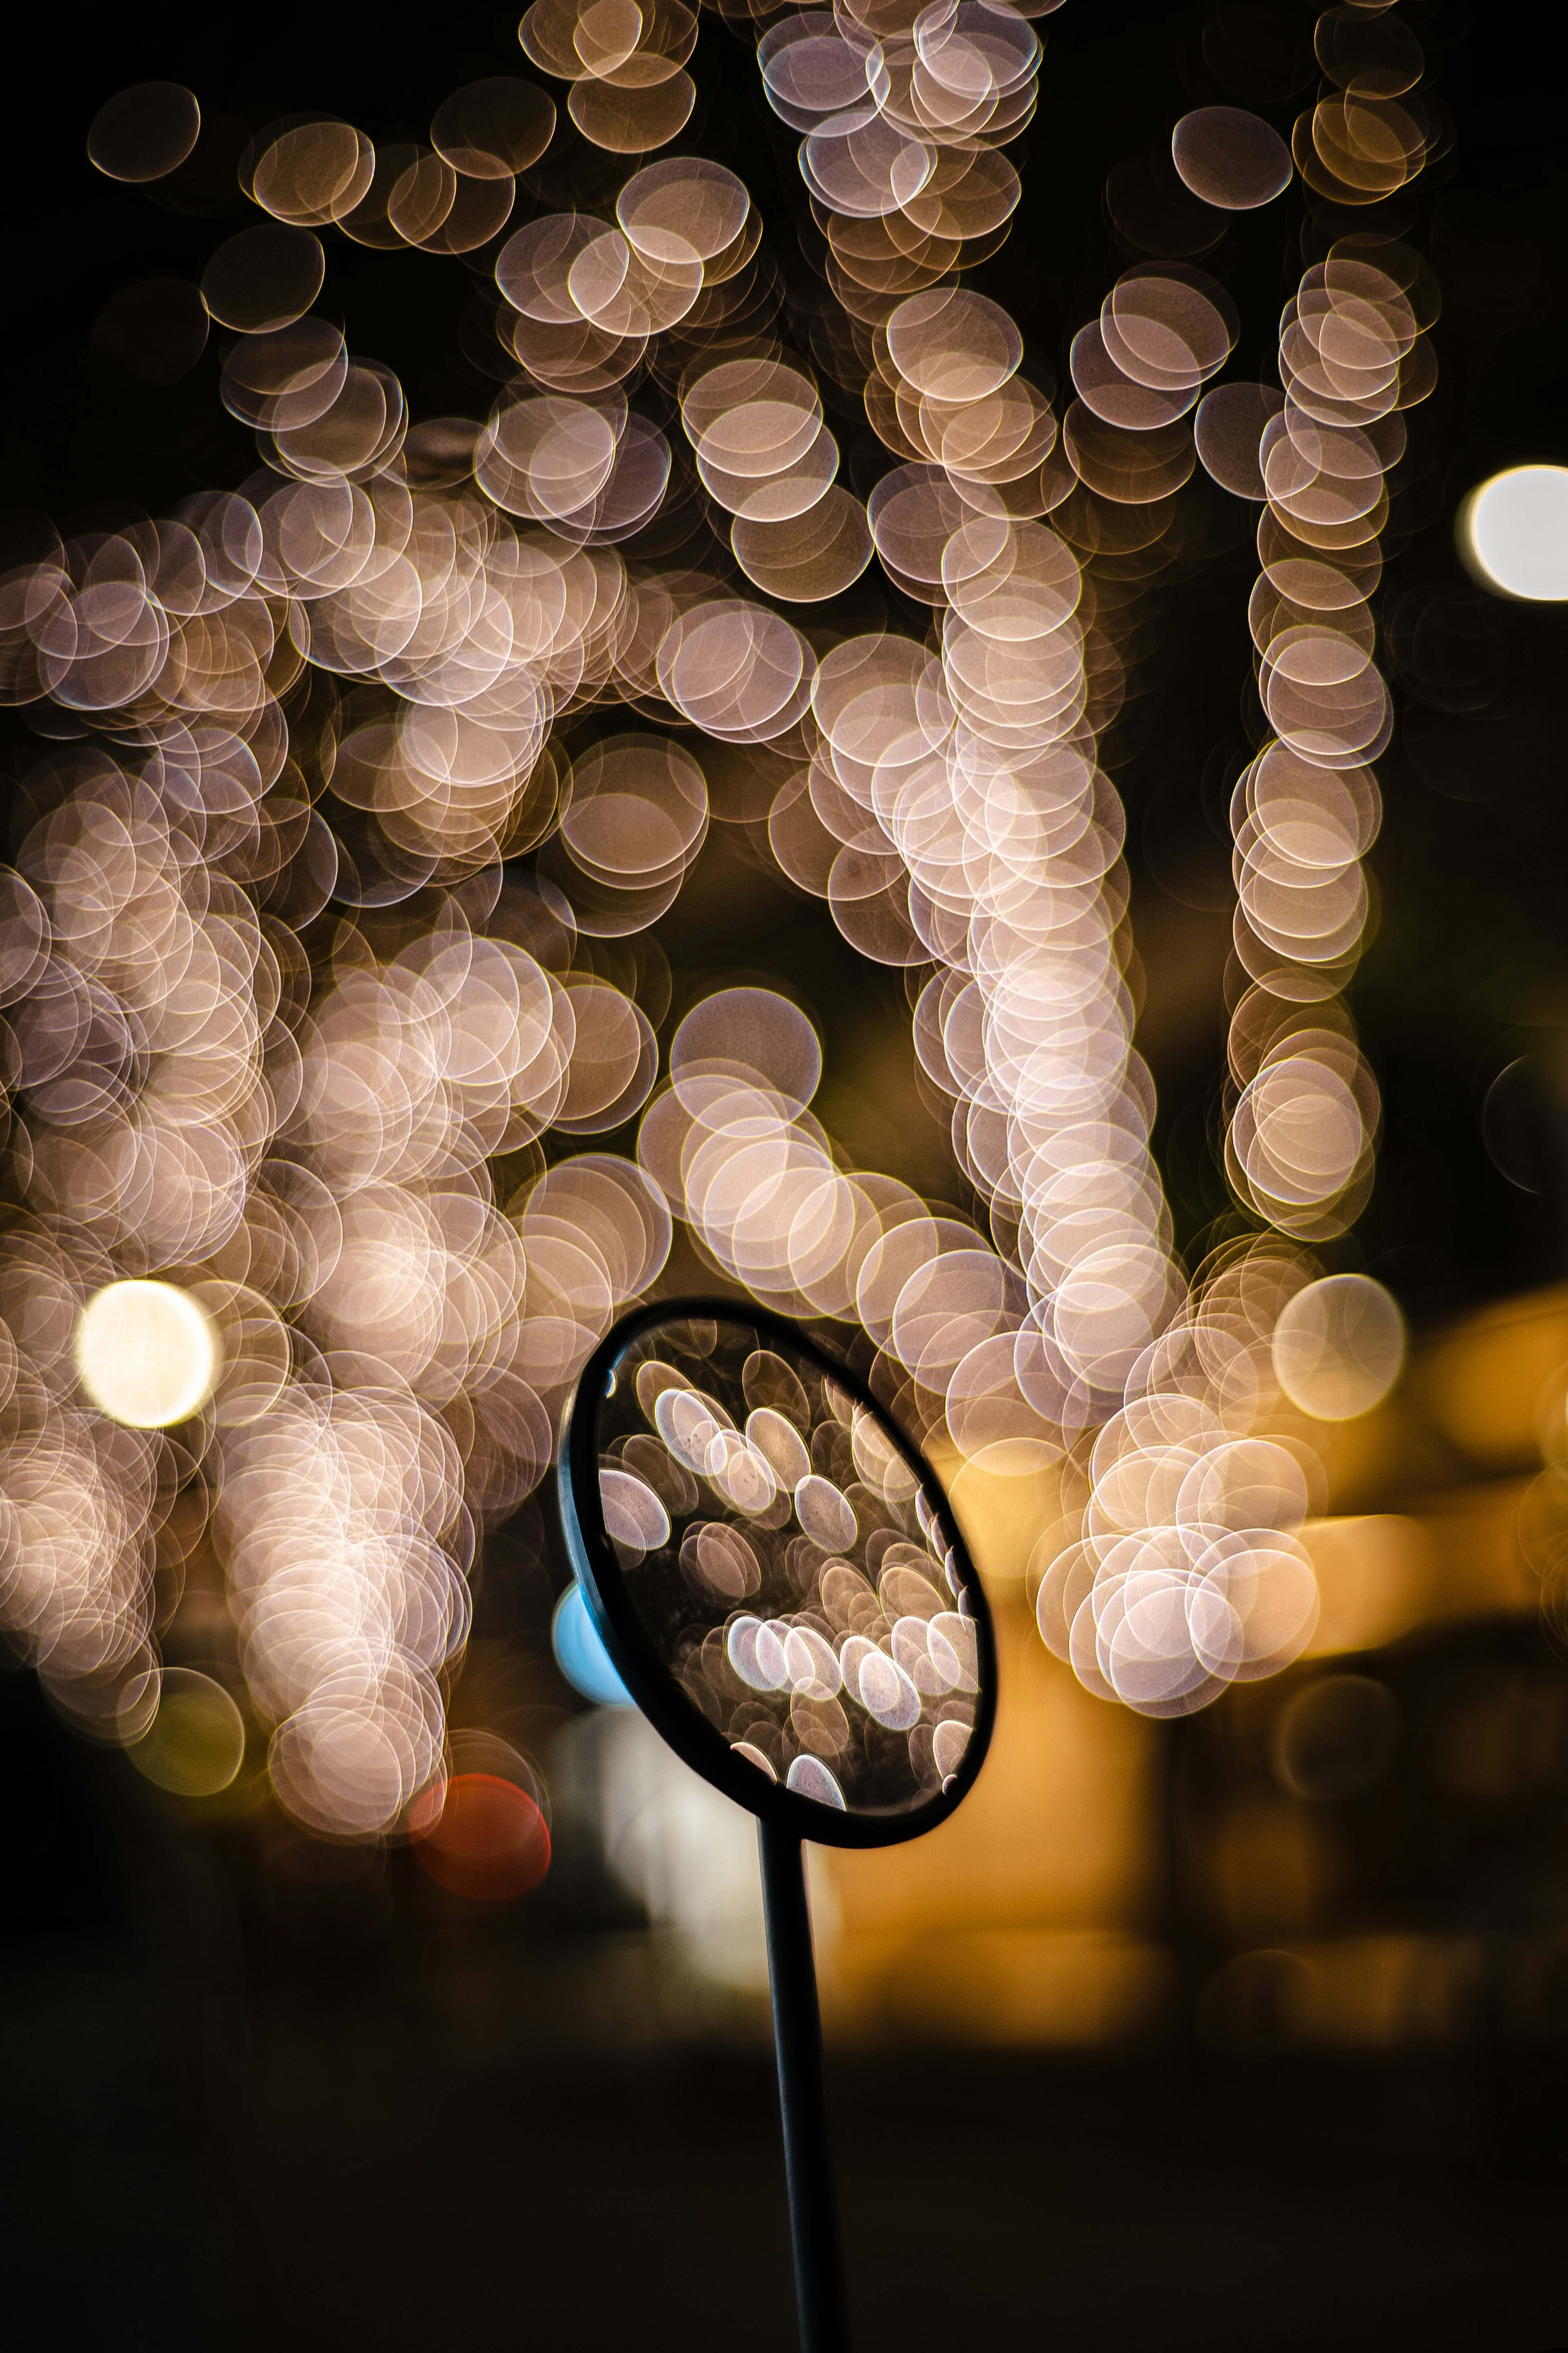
798,2039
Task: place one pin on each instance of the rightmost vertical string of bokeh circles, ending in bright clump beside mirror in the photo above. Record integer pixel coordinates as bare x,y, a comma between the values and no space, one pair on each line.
1188,1571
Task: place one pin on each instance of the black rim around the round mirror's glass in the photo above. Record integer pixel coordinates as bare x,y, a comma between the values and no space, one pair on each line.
641,1667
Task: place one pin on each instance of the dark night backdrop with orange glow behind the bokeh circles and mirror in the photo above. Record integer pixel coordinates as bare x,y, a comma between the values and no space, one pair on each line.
1235,2029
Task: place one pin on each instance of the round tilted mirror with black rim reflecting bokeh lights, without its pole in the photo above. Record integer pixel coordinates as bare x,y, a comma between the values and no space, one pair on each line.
777,1575
